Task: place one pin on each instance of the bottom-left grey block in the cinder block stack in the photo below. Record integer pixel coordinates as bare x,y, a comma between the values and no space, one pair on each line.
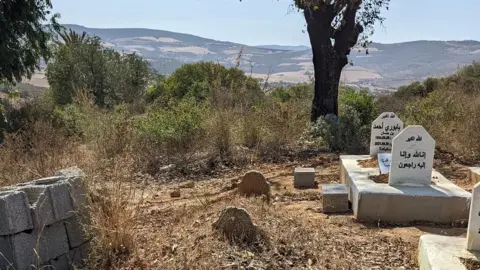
17,251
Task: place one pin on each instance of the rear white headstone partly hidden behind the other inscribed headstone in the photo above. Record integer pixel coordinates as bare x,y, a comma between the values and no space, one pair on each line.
384,129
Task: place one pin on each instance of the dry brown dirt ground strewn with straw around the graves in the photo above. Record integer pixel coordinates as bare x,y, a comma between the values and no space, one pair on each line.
176,233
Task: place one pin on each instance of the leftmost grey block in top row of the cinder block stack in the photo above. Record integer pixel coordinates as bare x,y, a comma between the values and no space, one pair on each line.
14,212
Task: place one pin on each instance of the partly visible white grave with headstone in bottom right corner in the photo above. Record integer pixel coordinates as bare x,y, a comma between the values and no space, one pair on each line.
443,252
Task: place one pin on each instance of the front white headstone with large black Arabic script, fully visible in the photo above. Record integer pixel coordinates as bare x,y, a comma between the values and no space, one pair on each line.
412,157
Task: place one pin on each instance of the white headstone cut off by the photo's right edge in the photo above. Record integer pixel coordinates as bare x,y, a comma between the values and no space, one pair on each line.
473,233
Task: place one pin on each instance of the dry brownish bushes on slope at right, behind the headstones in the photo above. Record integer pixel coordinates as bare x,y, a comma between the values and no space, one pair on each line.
446,107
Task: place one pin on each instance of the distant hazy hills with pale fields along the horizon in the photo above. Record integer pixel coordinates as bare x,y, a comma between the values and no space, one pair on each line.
387,66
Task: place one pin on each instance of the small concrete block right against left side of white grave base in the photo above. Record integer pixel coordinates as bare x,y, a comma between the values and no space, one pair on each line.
335,198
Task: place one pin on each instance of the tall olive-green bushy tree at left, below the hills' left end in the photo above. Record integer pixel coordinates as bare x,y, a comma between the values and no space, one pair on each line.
82,63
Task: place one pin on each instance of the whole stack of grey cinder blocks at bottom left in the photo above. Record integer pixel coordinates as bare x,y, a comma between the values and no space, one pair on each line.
39,223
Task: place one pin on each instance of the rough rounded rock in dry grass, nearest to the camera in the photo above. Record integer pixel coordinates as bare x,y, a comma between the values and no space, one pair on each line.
235,223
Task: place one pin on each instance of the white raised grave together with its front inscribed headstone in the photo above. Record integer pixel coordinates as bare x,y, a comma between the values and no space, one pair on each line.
414,191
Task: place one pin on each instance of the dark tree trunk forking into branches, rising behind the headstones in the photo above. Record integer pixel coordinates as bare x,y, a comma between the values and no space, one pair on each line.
334,28
